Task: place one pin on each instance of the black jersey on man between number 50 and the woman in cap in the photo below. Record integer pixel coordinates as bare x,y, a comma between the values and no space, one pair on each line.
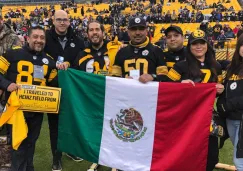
174,57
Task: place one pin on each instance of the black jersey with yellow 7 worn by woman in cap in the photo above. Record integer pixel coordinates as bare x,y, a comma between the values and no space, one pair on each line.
180,72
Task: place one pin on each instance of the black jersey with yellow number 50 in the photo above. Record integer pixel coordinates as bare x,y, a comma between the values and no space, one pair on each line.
148,59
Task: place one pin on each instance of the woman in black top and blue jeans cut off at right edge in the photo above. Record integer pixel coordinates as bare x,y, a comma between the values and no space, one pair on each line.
230,103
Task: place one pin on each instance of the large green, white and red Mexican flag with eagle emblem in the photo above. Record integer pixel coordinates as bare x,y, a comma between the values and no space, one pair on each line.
124,124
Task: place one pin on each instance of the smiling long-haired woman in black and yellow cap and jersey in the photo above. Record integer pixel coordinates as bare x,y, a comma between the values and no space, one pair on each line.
200,66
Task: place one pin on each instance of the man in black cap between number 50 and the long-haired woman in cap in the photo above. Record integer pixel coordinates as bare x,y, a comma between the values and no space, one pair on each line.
176,51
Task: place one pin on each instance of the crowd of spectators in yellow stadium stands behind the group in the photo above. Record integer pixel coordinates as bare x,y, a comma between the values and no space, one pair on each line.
118,21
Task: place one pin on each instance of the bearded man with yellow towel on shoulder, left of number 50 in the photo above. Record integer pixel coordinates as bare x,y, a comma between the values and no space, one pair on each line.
98,57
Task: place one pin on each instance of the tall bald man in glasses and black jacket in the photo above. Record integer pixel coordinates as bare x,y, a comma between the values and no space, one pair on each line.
63,45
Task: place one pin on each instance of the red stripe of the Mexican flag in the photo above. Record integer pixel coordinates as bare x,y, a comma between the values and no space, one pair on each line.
182,127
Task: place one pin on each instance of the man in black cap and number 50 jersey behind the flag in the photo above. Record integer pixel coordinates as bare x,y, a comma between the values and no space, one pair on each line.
140,59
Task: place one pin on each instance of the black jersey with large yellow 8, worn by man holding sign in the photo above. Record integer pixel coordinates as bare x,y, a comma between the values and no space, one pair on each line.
23,66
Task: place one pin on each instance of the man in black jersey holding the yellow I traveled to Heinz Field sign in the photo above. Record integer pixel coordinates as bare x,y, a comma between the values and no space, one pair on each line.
27,65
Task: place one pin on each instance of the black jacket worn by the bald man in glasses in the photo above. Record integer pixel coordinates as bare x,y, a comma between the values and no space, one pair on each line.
73,45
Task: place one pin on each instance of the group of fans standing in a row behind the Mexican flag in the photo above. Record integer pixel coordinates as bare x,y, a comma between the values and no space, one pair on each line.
45,52
